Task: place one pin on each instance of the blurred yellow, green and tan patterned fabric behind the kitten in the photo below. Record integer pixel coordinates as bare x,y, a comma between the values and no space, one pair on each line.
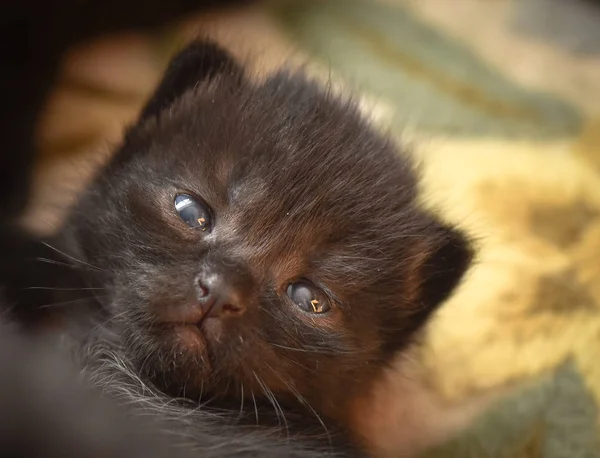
499,100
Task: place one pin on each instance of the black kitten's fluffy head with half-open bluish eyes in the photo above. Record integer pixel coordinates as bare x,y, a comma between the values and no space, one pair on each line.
260,237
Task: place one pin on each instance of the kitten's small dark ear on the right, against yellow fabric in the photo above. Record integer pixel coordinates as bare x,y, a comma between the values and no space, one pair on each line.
438,265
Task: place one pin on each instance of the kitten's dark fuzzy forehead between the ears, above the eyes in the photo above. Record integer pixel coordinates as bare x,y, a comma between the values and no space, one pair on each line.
286,135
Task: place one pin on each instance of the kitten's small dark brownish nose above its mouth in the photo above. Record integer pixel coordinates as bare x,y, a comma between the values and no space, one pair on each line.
219,296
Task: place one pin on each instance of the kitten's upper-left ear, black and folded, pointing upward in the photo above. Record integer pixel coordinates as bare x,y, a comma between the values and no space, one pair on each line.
197,62
